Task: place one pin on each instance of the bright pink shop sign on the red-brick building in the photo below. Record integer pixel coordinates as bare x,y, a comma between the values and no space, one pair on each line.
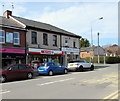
11,50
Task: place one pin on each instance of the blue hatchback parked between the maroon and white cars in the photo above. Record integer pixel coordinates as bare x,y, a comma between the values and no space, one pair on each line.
52,68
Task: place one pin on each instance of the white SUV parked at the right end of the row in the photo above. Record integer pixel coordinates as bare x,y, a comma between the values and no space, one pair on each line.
80,65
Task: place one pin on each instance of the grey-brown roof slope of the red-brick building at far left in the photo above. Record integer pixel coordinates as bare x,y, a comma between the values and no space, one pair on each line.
8,22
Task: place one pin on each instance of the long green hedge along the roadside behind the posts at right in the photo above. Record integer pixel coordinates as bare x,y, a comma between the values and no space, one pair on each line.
109,60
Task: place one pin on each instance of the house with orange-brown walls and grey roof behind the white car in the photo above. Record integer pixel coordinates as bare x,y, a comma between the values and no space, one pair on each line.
92,52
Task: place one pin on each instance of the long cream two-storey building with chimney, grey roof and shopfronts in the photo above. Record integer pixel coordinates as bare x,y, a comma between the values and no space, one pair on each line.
45,42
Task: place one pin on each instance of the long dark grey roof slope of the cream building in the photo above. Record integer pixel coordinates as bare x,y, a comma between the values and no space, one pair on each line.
44,26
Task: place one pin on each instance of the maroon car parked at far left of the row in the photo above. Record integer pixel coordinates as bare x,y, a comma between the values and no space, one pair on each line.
16,71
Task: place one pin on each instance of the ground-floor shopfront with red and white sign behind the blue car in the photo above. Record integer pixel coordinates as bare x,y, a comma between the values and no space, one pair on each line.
44,55
